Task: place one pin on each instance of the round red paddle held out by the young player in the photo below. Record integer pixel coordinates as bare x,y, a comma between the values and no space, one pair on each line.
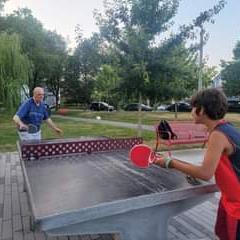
142,156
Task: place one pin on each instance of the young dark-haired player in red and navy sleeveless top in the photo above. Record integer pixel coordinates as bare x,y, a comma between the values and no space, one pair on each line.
222,159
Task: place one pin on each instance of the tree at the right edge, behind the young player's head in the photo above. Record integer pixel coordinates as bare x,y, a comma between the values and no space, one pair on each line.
230,73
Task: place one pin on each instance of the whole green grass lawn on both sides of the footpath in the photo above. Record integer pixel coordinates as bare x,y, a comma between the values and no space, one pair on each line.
8,134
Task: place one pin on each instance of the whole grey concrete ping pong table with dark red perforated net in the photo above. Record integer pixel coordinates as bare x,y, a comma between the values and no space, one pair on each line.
89,186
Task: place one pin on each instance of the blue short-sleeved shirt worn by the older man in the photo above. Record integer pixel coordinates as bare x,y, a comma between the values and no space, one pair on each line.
31,113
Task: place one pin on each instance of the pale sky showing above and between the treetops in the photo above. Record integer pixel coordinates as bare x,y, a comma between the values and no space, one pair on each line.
64,15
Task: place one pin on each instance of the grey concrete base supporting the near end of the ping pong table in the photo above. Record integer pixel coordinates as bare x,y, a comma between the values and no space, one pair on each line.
146,223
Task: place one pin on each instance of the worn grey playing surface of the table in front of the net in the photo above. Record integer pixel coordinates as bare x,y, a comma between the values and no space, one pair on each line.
69,183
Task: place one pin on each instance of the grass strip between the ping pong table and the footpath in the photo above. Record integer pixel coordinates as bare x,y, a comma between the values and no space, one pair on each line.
70,128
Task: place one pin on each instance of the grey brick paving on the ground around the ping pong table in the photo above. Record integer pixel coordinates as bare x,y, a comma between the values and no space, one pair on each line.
194,224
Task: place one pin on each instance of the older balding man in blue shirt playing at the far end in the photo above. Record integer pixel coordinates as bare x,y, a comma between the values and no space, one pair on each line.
30,115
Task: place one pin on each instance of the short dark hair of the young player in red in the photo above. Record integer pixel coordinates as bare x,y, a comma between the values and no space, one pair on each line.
213,102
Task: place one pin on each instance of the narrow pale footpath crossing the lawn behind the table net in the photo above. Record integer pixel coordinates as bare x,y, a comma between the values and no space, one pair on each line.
107,122
